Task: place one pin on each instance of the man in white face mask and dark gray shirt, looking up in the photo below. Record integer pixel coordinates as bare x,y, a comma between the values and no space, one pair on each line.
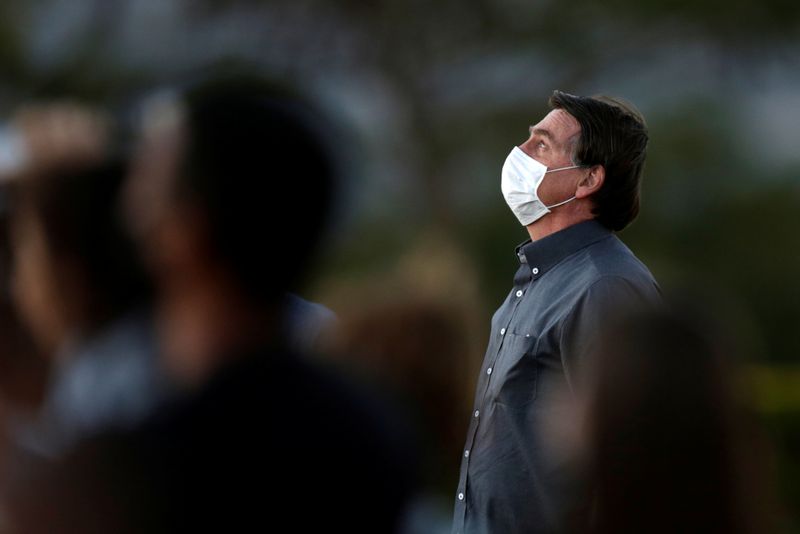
572,184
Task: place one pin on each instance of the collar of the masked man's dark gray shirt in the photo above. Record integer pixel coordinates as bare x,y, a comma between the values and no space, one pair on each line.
545,253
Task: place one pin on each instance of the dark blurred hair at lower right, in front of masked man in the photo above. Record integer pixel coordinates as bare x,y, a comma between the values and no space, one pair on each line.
670,442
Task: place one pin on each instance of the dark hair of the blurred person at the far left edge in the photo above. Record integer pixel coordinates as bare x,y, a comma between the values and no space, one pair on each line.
77,209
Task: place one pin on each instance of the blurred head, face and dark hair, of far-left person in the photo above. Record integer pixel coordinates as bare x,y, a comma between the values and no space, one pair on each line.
74,266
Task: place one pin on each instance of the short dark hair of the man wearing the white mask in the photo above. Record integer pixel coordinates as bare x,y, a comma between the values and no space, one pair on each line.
614,135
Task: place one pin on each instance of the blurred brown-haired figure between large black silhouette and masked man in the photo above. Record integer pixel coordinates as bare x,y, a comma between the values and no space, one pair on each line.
413,347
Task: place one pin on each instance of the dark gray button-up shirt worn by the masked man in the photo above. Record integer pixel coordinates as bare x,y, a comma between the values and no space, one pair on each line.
568,287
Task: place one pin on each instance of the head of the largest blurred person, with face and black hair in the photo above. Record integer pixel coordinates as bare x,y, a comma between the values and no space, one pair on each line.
229,200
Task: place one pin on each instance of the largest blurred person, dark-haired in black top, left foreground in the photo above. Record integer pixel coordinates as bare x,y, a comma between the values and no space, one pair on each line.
229,200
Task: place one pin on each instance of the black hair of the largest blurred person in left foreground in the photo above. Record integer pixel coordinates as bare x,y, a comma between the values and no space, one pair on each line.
257,165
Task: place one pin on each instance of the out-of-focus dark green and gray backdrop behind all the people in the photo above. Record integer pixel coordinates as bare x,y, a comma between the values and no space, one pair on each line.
437,93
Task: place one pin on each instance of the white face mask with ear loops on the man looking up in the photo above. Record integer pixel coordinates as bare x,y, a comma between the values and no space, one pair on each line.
520,180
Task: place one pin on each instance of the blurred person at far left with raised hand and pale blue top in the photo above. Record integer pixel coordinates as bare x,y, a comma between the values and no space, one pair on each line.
77,281
